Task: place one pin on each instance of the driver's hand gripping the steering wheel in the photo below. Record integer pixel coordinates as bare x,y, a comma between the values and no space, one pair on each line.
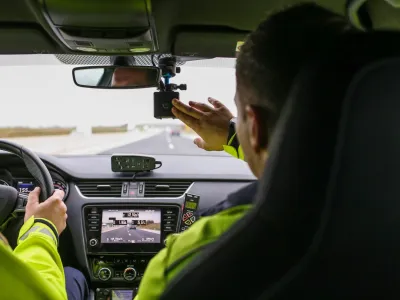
53,209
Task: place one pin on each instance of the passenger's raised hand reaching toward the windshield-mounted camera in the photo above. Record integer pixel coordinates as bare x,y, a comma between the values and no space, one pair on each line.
210,122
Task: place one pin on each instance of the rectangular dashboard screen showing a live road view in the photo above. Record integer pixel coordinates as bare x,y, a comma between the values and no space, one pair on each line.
131,226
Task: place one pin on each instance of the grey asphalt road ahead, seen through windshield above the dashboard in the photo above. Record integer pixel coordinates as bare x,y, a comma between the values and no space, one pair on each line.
163,143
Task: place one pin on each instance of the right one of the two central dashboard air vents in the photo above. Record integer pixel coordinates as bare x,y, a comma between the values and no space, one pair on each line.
167,189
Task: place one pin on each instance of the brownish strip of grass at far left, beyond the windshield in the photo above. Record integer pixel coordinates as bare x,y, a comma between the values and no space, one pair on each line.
12,132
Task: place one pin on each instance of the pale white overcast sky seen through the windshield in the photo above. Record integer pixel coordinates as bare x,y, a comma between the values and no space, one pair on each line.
43,94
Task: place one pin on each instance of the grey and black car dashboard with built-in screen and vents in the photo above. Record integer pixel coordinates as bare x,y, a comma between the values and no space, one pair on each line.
116,221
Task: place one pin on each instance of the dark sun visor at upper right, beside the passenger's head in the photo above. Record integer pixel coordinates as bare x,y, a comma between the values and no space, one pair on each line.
208,43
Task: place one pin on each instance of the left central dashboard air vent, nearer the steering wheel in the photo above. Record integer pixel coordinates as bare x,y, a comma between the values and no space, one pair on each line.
100,188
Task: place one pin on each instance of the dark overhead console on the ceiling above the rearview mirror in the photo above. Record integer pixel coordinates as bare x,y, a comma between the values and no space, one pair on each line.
102,27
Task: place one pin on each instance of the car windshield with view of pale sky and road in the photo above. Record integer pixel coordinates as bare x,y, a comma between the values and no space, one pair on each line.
48,113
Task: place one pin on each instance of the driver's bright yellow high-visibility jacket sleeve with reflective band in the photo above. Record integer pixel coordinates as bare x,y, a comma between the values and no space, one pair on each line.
34,269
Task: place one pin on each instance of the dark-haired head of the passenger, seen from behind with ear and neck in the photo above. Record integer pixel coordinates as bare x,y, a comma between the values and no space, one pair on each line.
267,64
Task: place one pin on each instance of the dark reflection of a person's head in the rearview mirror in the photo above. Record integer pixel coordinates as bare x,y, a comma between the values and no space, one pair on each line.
129,77
